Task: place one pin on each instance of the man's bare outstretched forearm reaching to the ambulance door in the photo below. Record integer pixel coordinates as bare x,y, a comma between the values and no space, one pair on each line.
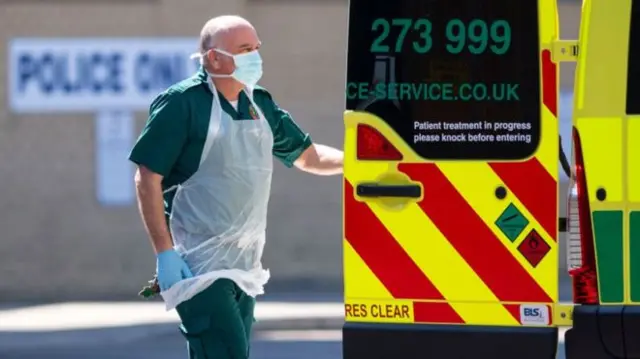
321,160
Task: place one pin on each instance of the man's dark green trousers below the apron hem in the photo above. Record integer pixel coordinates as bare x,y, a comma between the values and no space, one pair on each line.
217,322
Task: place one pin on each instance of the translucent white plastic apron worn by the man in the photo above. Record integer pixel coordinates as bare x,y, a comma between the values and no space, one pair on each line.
219,215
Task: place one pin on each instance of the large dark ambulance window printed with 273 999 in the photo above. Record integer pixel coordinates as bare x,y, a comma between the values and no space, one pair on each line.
456,79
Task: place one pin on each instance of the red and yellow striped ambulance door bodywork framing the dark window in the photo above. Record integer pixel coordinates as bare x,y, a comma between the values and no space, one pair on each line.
442,258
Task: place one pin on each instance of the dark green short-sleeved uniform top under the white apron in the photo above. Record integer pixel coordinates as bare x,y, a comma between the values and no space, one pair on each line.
174,135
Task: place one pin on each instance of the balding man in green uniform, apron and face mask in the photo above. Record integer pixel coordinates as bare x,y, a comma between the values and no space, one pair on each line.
205,159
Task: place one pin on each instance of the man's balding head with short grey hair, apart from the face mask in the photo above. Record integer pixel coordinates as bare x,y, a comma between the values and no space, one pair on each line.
223,36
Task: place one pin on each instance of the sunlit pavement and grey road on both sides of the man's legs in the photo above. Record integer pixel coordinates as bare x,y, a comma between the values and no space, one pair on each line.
285,330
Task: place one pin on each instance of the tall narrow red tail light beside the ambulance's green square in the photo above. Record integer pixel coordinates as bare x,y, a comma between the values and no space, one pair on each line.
585,280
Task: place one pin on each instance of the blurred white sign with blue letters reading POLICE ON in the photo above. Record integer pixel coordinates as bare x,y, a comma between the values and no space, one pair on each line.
90,74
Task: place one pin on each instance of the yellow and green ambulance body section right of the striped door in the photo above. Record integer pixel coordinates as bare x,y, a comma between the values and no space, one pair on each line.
604,206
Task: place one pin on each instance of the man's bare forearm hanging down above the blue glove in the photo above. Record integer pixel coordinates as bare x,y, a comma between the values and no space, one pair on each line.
151,206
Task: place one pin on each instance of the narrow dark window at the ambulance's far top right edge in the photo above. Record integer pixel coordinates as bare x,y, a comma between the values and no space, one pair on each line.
633,71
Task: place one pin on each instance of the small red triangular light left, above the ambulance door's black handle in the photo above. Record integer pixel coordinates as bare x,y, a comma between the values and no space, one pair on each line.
372,145
